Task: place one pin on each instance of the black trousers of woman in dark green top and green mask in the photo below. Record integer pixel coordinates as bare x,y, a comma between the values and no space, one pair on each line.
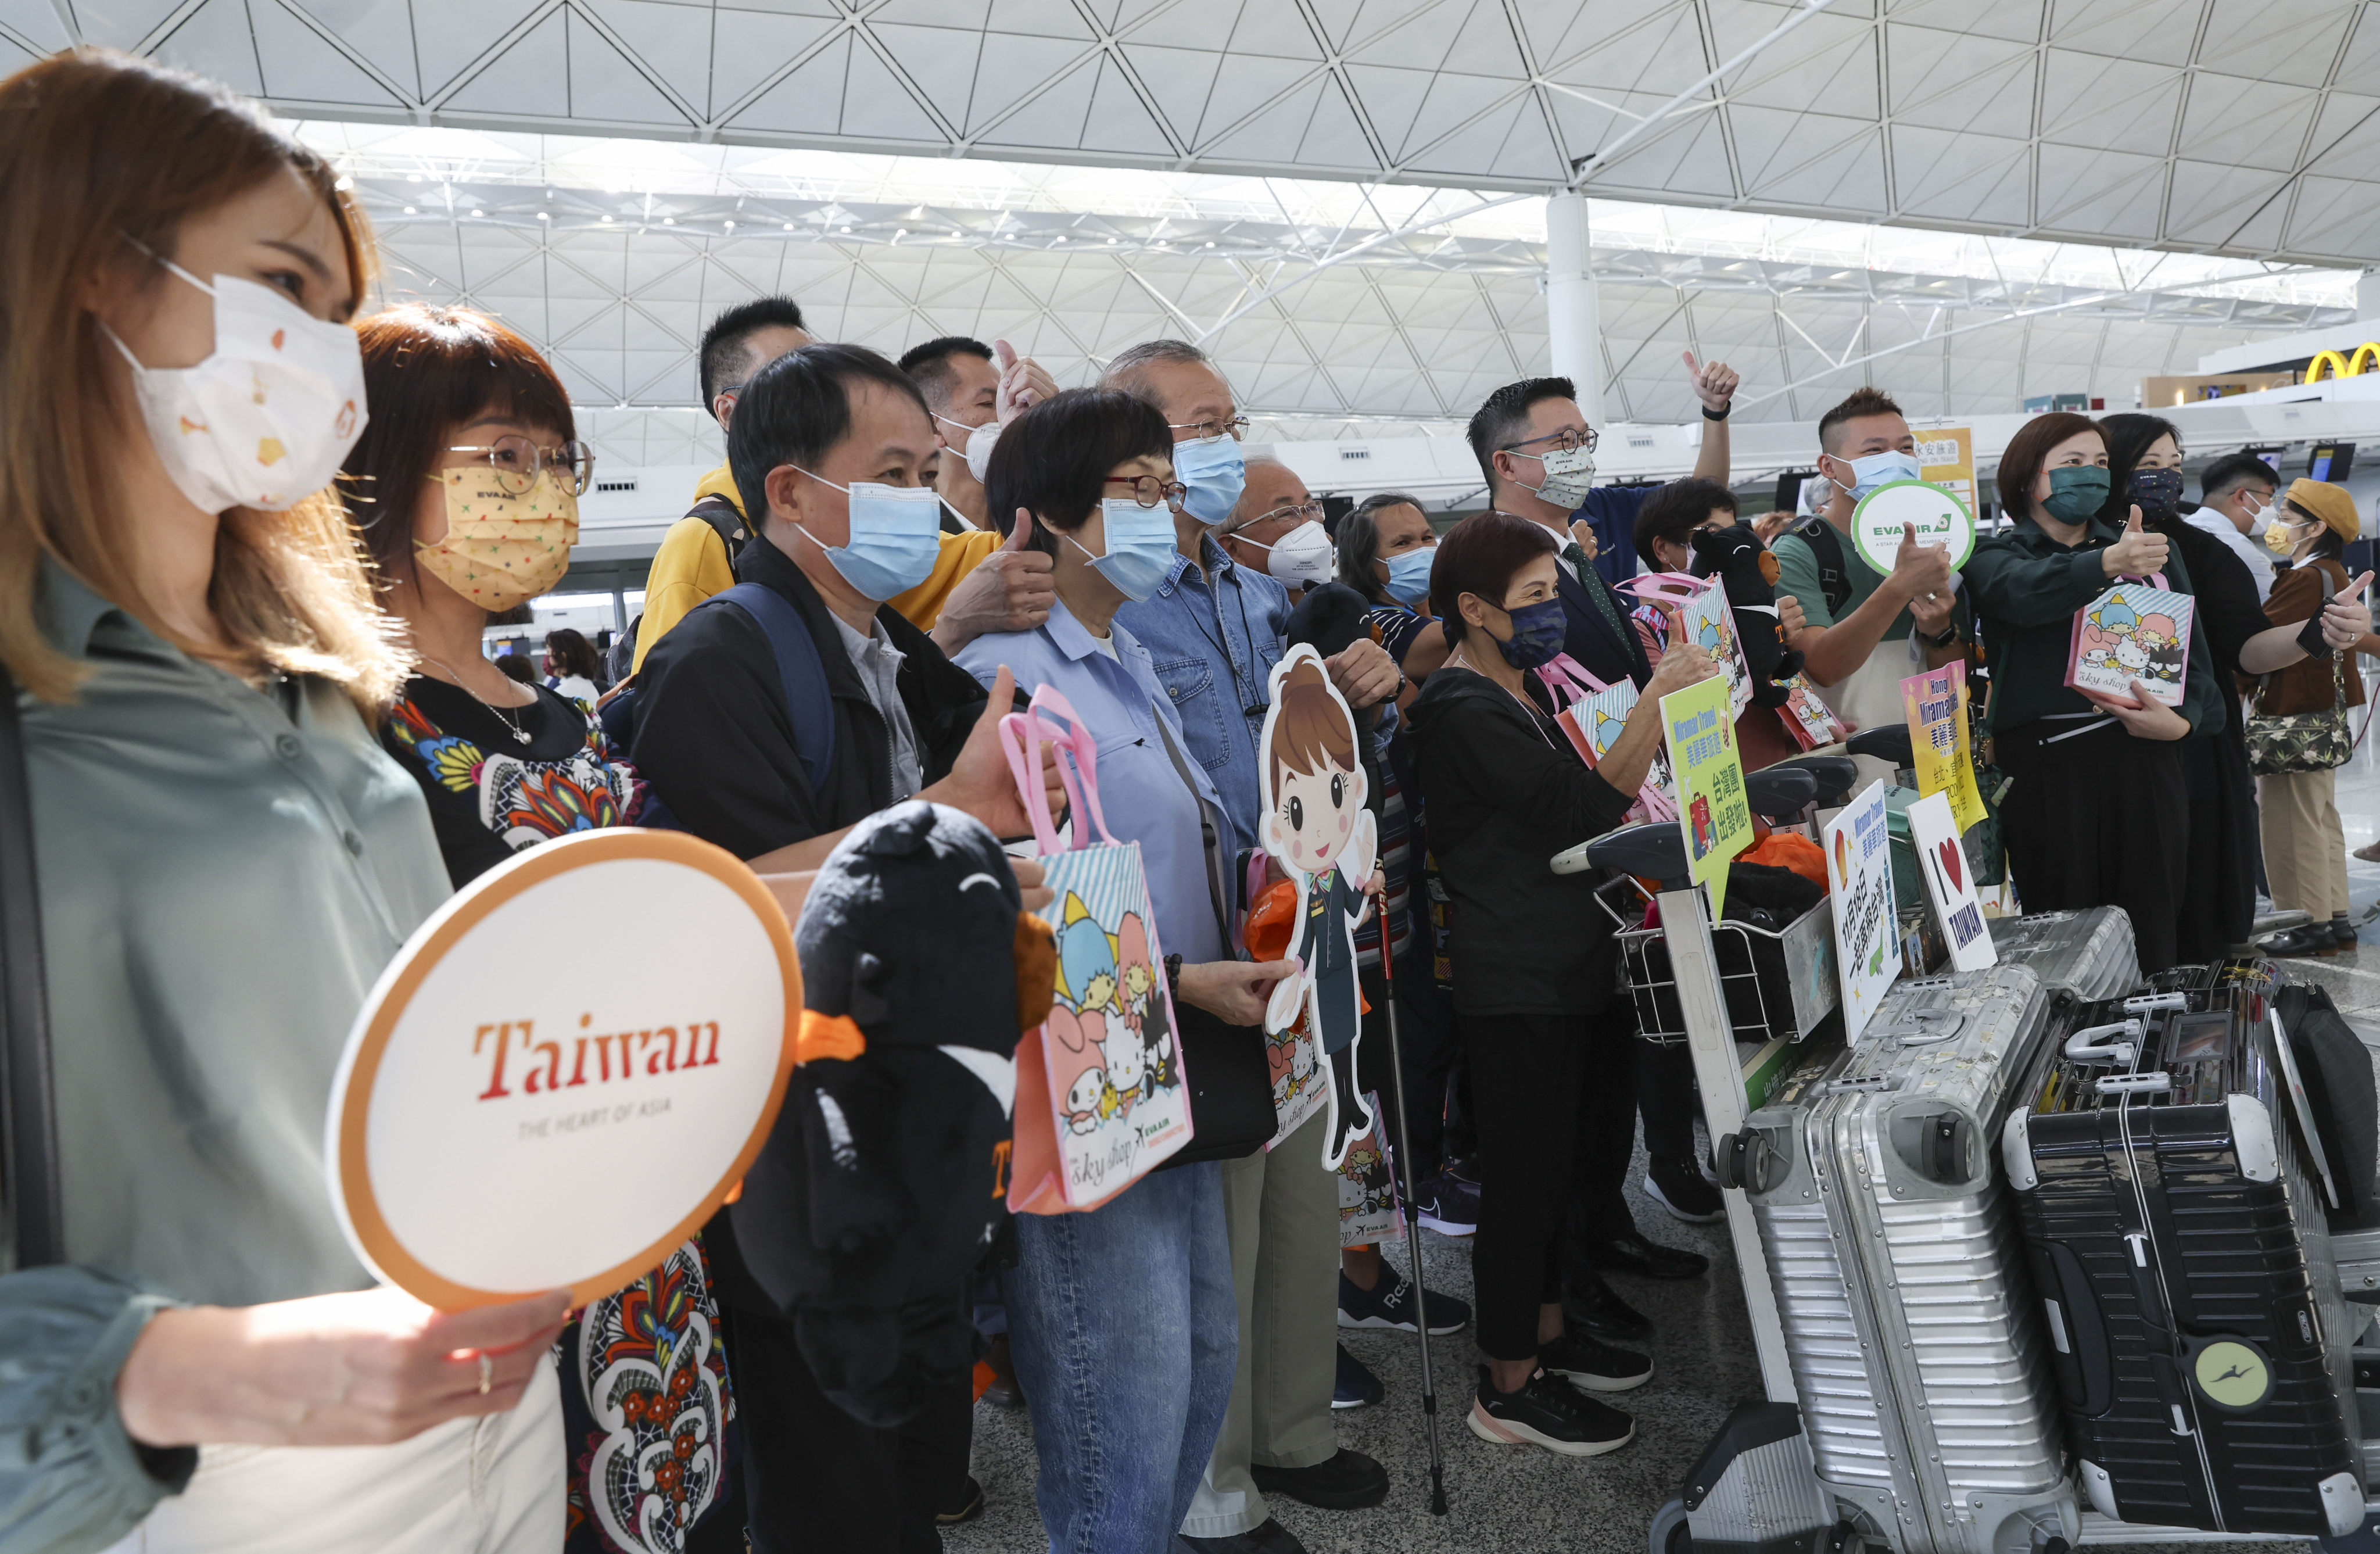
2100,820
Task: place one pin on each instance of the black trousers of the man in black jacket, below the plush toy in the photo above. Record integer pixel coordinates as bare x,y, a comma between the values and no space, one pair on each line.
818,1481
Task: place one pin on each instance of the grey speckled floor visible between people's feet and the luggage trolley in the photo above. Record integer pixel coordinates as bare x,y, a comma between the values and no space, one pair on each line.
1522,1500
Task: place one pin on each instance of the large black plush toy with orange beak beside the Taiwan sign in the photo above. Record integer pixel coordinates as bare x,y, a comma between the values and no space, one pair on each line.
887,1172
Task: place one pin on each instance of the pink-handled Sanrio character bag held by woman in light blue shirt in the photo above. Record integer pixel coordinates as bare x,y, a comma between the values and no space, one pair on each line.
1101,1094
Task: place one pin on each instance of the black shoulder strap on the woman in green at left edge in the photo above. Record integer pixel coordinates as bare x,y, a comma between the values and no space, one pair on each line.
27,1115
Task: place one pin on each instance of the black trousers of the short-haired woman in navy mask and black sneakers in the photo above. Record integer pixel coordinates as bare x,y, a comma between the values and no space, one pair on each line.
1558,1124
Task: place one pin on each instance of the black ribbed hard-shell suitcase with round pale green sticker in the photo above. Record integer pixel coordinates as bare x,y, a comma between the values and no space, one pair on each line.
2174,1210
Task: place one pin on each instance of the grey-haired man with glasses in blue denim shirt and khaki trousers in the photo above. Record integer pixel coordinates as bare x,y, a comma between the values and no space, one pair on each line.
1215,632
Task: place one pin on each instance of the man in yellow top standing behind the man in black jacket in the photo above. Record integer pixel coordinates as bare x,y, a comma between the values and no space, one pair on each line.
958,603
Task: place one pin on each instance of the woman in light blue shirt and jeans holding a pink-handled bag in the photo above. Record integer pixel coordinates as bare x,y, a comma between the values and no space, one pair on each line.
1122,1320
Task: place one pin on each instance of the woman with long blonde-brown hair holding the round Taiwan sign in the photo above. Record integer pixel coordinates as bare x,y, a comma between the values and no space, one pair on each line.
208,863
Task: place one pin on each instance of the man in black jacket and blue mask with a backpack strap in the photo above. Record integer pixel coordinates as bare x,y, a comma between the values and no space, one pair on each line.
718,739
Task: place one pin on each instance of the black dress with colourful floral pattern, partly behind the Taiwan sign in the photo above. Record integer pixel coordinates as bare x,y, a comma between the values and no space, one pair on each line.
644,1374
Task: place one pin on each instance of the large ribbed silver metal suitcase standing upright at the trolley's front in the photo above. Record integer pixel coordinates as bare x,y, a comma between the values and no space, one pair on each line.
1898,1270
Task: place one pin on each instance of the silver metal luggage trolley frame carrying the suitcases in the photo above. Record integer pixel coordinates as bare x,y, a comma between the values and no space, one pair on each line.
1758,1489
